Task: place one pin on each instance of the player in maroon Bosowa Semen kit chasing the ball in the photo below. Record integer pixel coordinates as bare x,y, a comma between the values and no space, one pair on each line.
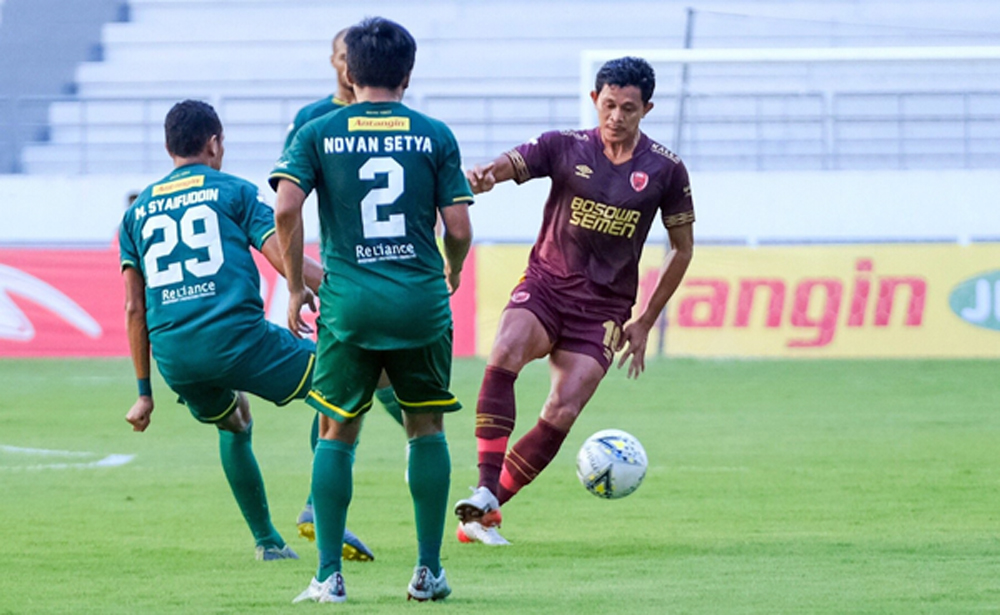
574,302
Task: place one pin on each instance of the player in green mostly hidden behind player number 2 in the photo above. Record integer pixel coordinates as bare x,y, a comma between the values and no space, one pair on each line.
343,97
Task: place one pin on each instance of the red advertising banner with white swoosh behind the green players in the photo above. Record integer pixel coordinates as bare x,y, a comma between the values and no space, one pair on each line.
70,303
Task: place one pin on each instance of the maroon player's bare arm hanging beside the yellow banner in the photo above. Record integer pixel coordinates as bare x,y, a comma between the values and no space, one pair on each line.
636,333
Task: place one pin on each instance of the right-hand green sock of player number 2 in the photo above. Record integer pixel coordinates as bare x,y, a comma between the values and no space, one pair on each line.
430,479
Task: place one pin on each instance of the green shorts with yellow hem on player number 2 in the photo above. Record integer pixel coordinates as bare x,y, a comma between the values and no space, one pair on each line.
346,375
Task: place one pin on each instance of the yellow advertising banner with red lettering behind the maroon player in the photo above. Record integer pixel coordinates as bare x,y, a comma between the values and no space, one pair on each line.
856,300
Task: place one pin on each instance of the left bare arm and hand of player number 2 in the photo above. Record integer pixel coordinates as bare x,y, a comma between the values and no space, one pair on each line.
288,220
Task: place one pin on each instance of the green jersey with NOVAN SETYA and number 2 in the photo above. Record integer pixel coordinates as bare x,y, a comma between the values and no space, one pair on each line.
381,171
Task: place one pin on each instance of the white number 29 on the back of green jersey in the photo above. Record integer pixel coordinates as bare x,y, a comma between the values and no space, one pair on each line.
207,238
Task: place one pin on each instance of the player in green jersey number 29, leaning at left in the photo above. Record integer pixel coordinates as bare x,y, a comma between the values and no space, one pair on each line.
193,298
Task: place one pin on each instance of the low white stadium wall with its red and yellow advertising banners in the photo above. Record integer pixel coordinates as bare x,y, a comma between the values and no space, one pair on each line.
836,264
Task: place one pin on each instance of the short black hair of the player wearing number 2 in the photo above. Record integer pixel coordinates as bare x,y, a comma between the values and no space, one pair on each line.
380,53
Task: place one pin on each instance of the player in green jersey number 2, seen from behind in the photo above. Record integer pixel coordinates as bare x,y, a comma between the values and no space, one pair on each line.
382,173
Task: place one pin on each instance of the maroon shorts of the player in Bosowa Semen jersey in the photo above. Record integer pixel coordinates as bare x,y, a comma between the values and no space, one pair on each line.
573,325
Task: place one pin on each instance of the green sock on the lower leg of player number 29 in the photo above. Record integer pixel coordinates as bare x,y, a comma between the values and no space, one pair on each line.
243,474
